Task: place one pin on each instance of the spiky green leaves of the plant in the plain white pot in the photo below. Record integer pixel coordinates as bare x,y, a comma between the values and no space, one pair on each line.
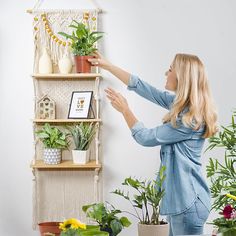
82,135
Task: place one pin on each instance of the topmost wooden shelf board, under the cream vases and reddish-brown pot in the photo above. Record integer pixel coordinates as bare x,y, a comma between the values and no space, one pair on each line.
67,76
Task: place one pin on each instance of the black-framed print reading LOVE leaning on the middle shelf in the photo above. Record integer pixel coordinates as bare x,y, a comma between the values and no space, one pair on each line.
80,104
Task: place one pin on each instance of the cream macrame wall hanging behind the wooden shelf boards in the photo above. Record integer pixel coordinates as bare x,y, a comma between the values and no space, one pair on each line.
57,194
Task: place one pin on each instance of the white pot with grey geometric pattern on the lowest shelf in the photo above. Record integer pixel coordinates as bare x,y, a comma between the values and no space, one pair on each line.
52,156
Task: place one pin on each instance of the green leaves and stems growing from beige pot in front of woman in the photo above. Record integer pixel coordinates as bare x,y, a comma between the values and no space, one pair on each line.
147,194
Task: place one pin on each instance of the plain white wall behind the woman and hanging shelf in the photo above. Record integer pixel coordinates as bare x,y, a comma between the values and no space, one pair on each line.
142,37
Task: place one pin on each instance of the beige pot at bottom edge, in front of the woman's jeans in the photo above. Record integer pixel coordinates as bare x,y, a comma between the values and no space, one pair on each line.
153,230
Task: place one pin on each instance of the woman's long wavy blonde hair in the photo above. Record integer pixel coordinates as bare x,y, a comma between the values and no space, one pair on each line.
193,93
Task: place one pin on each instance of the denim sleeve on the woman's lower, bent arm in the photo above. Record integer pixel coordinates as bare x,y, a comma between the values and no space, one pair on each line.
160,135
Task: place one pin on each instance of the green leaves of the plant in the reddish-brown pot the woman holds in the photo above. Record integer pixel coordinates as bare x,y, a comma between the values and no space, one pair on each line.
82,39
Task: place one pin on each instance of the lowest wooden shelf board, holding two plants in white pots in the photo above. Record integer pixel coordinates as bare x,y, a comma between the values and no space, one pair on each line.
39,164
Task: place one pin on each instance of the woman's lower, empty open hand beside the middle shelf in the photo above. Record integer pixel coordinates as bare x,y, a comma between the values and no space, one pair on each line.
117,100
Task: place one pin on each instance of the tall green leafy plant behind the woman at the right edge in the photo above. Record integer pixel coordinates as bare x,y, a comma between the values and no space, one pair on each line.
223,175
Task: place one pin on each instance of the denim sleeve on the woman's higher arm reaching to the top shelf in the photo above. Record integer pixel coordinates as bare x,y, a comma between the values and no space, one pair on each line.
162,98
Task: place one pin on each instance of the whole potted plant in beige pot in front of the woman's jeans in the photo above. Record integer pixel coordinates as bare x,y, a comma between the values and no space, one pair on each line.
146,202
